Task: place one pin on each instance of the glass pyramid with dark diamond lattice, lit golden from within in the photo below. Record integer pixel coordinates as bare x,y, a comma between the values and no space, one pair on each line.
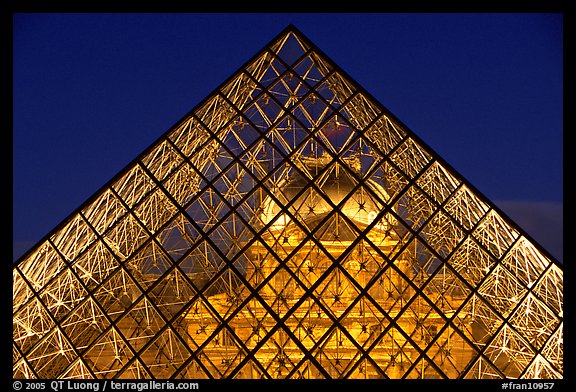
288,227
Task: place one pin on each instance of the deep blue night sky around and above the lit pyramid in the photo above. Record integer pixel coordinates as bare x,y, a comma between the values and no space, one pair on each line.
92,91
